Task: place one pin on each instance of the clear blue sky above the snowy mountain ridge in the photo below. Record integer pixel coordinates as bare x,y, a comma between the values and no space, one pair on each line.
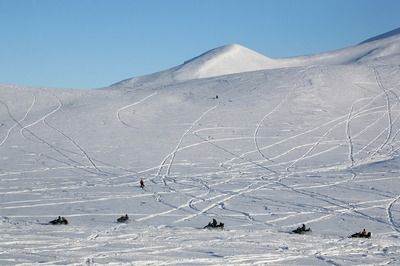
94,43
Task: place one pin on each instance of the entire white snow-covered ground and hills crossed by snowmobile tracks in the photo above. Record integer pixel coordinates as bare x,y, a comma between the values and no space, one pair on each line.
311,140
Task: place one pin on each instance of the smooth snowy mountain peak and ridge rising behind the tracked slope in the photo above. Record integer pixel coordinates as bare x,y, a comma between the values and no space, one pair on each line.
231,59
